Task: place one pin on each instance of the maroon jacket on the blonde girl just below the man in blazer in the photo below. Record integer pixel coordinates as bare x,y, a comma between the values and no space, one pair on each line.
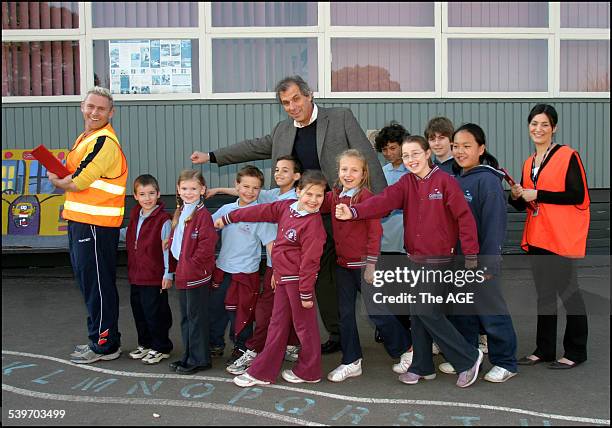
357,242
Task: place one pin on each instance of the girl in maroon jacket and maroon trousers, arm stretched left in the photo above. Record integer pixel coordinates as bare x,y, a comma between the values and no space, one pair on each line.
296,253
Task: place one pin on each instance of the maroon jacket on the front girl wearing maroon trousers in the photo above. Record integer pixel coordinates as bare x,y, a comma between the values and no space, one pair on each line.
298,246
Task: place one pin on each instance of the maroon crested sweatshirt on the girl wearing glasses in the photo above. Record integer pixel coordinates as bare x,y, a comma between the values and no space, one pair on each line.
435,215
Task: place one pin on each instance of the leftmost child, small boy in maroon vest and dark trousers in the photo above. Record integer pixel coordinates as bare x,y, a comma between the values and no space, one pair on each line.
148,273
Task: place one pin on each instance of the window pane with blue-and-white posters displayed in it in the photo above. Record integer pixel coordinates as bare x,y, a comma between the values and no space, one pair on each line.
147,66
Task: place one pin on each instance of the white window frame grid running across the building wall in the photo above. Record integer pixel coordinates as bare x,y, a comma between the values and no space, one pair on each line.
324,32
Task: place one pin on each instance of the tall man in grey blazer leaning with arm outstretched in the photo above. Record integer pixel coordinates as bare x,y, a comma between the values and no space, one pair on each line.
315,136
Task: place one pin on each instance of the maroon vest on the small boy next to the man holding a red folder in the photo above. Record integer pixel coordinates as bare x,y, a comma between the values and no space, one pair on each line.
145,254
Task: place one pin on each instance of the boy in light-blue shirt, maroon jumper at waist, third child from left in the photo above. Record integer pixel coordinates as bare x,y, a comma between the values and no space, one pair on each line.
238,266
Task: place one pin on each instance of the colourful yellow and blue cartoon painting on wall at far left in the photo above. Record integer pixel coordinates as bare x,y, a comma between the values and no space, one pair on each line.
31,205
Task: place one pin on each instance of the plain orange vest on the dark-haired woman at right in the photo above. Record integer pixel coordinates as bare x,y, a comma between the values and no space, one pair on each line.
561,229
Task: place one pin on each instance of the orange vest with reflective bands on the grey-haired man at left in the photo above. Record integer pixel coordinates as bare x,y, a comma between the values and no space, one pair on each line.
103,202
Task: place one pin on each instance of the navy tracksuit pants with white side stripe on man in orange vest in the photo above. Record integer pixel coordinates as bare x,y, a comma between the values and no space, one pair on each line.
93,254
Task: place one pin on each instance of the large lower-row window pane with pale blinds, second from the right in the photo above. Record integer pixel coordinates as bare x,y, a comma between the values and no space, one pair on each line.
497,65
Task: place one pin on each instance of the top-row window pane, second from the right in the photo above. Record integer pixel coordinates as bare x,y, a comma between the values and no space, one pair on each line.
502,14
